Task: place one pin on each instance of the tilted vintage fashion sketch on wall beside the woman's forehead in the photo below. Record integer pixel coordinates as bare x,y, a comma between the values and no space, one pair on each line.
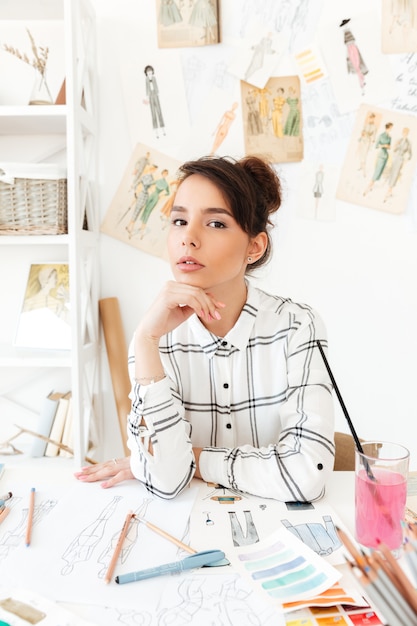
139,213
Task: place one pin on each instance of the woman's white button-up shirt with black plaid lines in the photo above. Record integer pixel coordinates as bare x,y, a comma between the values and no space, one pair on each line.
259,401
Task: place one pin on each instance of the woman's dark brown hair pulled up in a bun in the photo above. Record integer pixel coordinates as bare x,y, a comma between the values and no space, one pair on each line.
251,188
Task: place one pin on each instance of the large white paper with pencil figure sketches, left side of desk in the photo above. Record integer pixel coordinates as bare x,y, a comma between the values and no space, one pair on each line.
74,537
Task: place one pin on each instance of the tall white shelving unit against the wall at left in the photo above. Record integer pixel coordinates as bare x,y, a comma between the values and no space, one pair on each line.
76,122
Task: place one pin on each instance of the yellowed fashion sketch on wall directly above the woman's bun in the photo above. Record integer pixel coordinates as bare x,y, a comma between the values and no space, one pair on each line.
272,119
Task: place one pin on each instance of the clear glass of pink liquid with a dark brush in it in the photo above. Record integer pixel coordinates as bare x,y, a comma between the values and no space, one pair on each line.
381,471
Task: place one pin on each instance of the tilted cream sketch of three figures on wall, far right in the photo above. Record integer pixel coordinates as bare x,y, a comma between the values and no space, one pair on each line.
380,160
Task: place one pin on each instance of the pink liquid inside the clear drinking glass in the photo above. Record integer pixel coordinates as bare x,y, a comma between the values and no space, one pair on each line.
379,508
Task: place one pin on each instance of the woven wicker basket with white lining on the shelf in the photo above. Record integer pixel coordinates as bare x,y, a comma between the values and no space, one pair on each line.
33,199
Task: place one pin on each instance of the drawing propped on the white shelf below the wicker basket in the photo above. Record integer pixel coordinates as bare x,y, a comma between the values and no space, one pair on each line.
44,321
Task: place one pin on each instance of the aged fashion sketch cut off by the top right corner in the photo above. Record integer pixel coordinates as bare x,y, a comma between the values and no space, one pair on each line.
399,26
